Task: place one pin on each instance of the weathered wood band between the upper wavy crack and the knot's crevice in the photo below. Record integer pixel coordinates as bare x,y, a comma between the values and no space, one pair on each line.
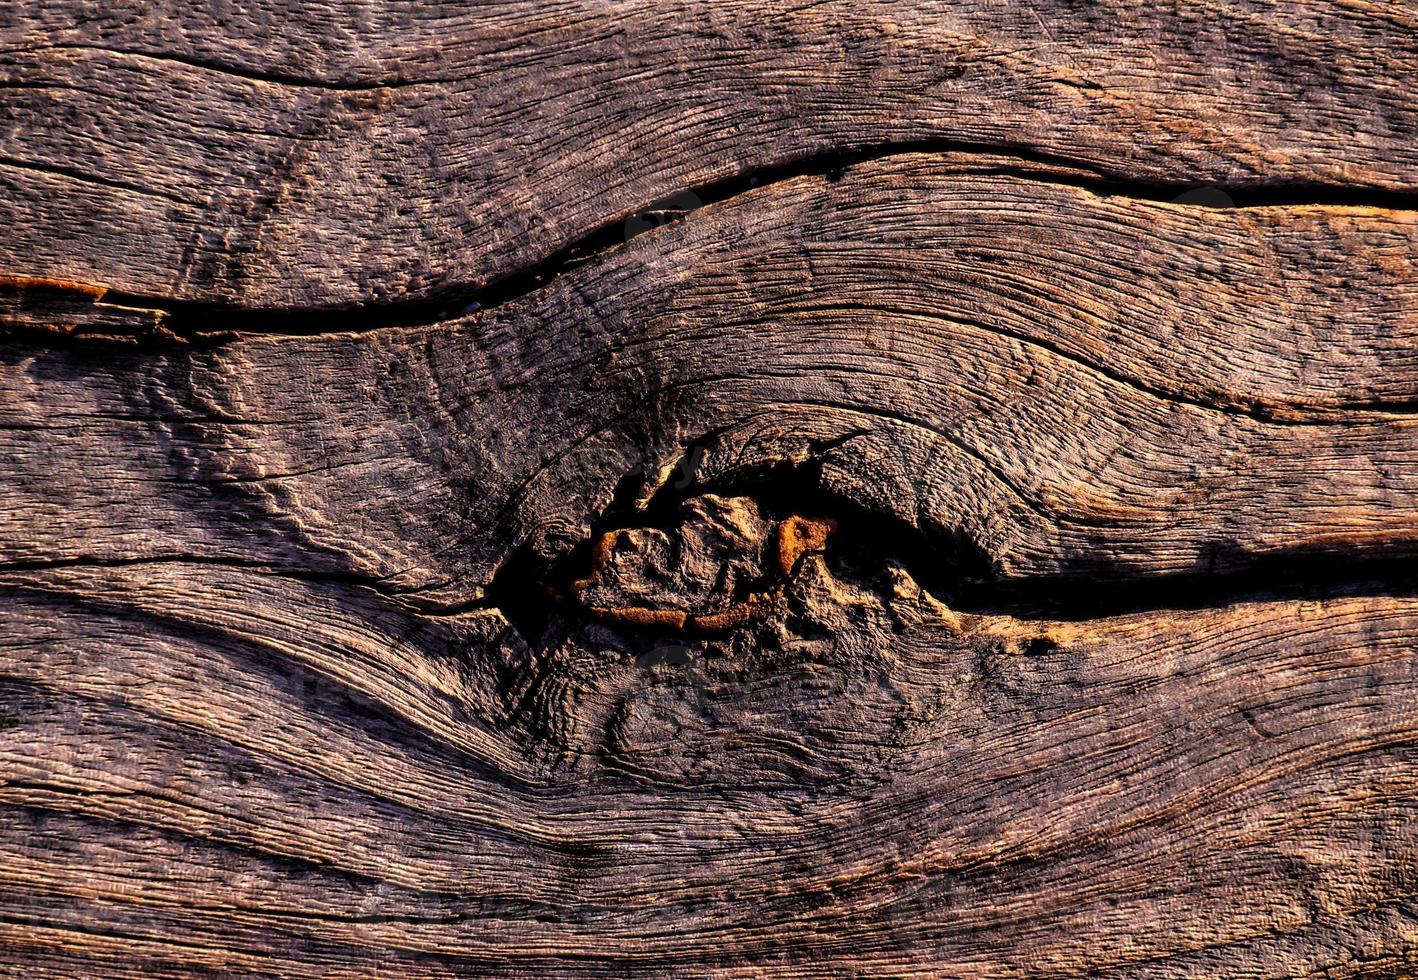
1063,384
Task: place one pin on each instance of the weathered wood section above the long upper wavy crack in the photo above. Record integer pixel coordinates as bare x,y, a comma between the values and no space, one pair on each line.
181,158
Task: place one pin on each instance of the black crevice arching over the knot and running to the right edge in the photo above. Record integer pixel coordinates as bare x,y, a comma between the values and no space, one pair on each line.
955,569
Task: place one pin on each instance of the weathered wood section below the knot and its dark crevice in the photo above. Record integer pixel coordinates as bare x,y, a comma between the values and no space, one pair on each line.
310,781
